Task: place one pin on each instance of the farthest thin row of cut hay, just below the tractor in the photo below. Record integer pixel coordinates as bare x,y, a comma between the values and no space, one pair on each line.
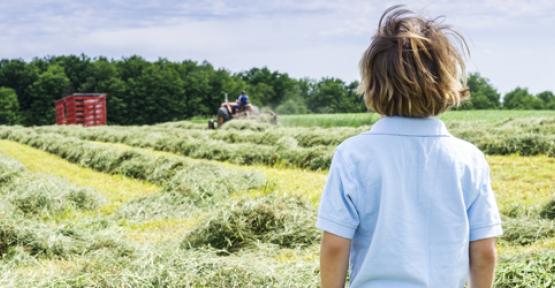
525,137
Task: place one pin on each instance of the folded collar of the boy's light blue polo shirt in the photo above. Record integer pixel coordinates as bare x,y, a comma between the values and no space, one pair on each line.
405,126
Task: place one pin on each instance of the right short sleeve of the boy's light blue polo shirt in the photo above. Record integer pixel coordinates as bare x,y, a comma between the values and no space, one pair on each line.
483,214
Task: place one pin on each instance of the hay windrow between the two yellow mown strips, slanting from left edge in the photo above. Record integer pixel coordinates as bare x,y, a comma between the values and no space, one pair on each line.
192,179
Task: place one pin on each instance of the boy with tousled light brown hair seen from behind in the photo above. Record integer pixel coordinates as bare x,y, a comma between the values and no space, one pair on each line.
409,203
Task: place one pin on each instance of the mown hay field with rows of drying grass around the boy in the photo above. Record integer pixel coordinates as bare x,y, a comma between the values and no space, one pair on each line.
176,205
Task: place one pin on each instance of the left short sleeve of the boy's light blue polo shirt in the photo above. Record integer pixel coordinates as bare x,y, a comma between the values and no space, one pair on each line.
337,213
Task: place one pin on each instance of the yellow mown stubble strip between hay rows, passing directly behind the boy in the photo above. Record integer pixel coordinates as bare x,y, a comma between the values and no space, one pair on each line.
521,183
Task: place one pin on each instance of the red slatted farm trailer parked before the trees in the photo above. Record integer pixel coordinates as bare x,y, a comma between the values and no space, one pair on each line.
87,109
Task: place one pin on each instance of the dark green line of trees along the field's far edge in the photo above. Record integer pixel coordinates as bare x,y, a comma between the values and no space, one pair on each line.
145,92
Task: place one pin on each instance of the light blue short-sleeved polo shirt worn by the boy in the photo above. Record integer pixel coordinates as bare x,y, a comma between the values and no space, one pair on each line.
411,197
